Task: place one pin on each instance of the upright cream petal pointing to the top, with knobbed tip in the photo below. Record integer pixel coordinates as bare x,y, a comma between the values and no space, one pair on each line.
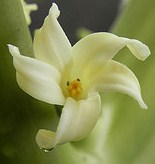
50,42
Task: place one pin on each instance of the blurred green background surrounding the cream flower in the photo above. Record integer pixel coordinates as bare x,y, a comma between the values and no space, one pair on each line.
125,133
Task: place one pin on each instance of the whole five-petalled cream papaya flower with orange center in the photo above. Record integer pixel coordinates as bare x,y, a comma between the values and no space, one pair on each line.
74,77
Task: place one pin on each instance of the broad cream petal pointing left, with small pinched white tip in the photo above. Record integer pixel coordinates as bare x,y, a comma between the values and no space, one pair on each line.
36,78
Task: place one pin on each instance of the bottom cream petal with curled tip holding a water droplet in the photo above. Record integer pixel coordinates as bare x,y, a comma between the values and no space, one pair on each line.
77,120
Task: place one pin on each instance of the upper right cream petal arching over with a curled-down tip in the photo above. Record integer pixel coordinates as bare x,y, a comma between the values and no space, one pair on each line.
104,46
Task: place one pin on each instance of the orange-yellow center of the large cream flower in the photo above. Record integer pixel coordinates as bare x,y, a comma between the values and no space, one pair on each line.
74,88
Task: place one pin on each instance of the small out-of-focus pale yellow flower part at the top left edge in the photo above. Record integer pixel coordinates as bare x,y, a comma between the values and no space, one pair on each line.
28,8
